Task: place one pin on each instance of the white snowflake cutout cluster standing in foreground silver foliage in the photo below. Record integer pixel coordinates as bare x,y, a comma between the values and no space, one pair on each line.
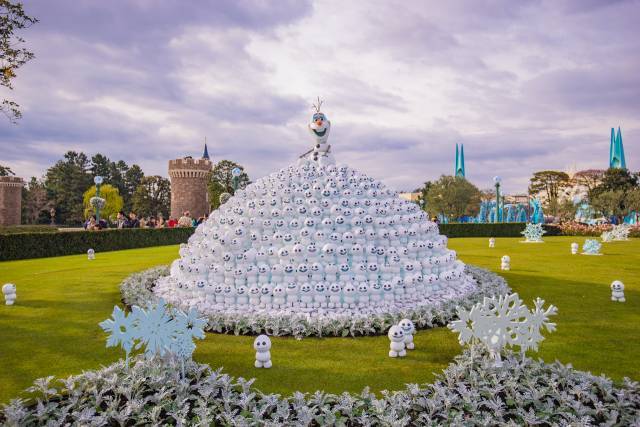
503,321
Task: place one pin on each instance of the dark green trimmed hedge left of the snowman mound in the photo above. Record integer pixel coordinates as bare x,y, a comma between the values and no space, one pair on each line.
39,245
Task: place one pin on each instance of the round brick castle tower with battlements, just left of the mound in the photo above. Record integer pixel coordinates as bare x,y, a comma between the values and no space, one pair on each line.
189,185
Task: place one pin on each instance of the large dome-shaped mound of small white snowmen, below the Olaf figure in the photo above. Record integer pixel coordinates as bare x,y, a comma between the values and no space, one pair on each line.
319,240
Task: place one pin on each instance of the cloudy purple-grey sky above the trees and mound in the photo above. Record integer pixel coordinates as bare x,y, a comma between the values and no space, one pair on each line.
525,85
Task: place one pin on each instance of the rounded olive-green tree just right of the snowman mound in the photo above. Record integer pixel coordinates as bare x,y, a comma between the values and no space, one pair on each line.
453,197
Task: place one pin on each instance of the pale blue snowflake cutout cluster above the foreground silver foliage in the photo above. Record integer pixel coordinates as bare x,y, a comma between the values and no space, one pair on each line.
160,330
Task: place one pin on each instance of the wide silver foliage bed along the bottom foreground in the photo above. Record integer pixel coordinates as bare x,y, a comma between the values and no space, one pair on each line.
470,391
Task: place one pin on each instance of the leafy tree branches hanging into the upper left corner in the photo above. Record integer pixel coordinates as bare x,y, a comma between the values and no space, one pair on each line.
12,56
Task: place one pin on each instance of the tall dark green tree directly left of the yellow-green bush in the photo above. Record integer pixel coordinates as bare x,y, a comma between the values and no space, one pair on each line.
66,182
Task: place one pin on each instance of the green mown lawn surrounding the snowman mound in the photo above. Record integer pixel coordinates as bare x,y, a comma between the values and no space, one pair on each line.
53,329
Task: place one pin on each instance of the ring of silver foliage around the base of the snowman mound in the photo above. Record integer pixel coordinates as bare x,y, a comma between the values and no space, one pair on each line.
136,290
